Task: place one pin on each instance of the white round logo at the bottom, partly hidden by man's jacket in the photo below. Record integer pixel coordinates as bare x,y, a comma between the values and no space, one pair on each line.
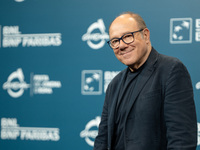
89,134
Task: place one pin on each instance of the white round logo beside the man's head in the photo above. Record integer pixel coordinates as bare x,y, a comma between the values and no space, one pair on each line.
96,40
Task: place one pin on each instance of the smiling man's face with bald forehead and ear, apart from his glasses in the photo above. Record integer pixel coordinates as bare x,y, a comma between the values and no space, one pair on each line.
135,53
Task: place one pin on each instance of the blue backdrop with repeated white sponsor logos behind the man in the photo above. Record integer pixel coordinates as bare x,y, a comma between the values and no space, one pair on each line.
56,65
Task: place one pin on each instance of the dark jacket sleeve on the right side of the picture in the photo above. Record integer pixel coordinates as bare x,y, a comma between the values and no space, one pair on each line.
179,110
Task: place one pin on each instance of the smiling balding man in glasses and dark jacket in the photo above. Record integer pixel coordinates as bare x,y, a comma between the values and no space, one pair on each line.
149,105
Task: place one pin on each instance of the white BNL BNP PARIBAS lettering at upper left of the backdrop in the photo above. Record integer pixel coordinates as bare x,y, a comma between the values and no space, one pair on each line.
12,37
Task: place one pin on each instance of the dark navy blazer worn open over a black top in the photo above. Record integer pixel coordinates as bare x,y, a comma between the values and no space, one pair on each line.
161,114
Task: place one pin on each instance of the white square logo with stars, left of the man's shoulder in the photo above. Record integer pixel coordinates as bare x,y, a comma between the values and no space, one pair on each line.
91,82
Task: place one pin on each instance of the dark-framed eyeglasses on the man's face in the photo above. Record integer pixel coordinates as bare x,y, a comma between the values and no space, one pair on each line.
126,38
